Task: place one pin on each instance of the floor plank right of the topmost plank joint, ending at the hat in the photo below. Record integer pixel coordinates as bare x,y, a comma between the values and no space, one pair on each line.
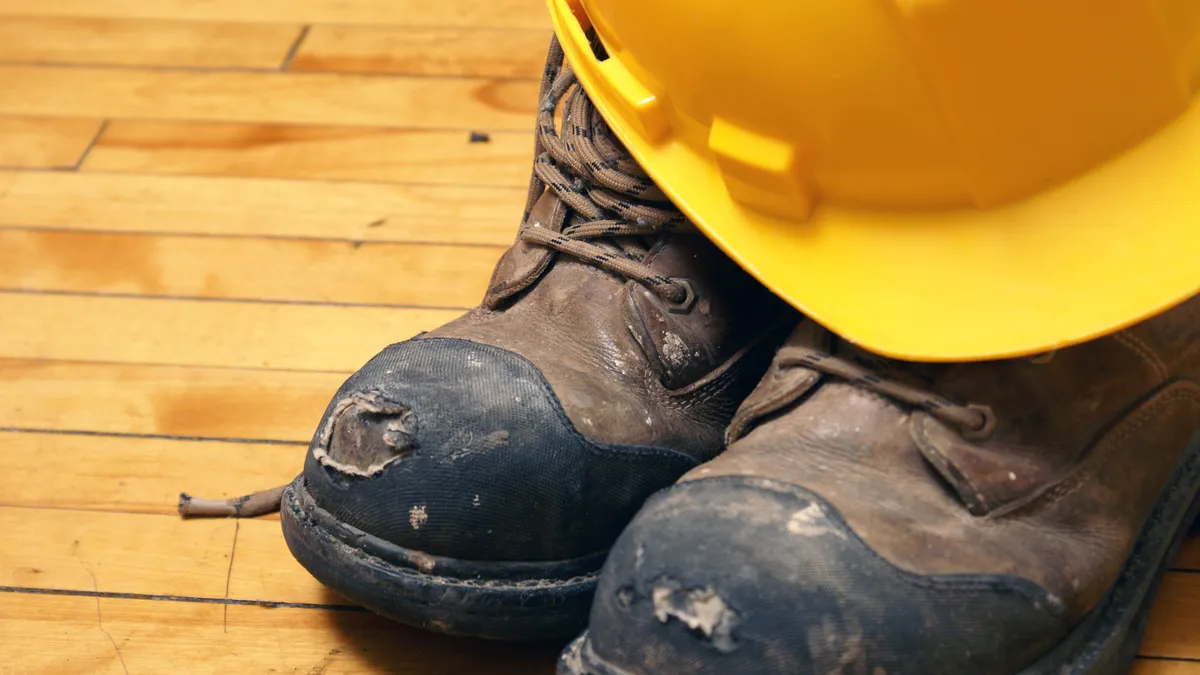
471,52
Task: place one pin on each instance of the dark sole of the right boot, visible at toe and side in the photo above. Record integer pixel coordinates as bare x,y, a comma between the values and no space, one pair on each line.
1103,644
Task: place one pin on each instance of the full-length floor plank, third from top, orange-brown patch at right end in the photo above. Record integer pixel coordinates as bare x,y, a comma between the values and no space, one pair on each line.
269,98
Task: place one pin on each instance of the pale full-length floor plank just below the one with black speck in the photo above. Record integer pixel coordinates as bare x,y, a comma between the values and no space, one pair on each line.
363,212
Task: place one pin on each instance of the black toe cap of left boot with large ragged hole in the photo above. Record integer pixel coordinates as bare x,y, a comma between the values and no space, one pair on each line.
461,450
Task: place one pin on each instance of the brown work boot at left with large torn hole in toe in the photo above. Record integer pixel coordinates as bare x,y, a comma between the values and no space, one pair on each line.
473,479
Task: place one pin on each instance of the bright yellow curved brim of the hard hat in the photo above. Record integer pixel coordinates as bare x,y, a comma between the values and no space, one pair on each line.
1069,265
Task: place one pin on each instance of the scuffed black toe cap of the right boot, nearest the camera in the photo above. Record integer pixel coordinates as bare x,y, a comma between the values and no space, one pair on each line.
755,577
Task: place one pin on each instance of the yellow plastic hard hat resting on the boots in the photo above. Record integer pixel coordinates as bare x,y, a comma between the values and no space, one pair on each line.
933,180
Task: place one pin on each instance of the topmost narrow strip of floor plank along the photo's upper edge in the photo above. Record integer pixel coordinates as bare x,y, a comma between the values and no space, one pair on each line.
494,14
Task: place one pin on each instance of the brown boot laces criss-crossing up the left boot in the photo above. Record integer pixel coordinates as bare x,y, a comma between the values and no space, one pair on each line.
617,208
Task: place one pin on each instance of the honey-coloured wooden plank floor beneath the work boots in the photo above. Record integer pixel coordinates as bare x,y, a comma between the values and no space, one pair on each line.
211,213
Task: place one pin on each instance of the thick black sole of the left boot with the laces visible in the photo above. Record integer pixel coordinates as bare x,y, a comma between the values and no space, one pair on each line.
500,601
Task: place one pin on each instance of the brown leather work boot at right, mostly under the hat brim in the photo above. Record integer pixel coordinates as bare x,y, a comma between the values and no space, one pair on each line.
875,517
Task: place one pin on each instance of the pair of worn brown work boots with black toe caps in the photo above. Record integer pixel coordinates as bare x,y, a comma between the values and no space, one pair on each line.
815,510
